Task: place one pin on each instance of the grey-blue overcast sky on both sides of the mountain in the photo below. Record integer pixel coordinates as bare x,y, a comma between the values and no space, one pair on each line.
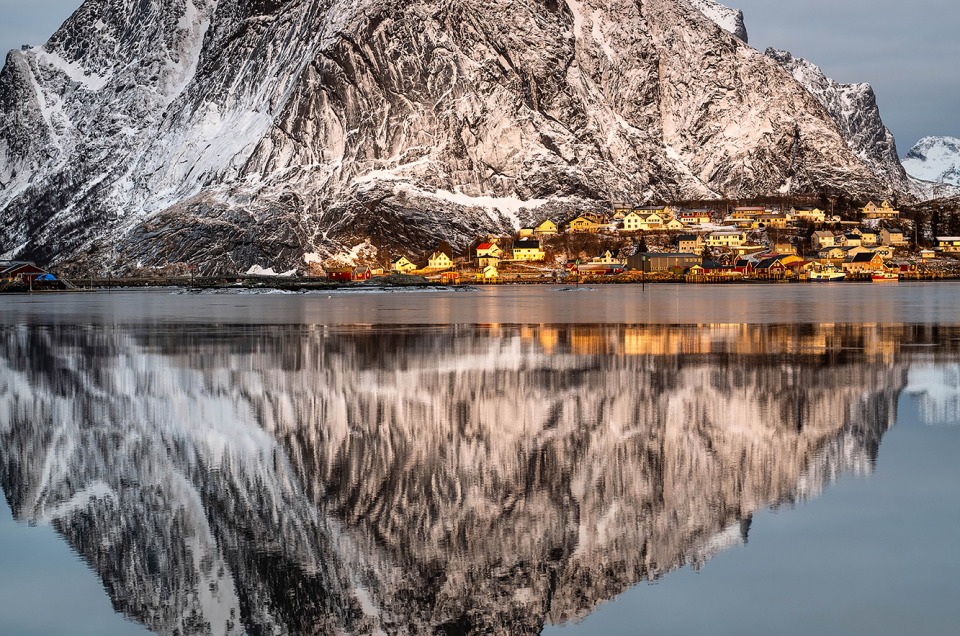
908,50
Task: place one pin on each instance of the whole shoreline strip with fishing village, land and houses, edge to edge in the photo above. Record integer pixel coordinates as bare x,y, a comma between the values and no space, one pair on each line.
623,244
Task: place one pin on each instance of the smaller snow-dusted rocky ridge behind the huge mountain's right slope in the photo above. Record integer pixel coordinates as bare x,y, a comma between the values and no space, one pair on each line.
855,111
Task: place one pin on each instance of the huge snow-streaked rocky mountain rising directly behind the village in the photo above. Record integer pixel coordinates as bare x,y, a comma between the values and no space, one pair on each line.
232,133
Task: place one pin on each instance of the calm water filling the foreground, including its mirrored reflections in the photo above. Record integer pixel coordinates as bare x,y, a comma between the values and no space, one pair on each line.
669,460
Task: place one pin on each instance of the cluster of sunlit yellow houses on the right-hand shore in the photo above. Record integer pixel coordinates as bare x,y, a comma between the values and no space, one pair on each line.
708,244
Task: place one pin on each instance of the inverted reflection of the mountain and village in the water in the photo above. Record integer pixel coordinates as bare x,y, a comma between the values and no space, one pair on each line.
453,479
